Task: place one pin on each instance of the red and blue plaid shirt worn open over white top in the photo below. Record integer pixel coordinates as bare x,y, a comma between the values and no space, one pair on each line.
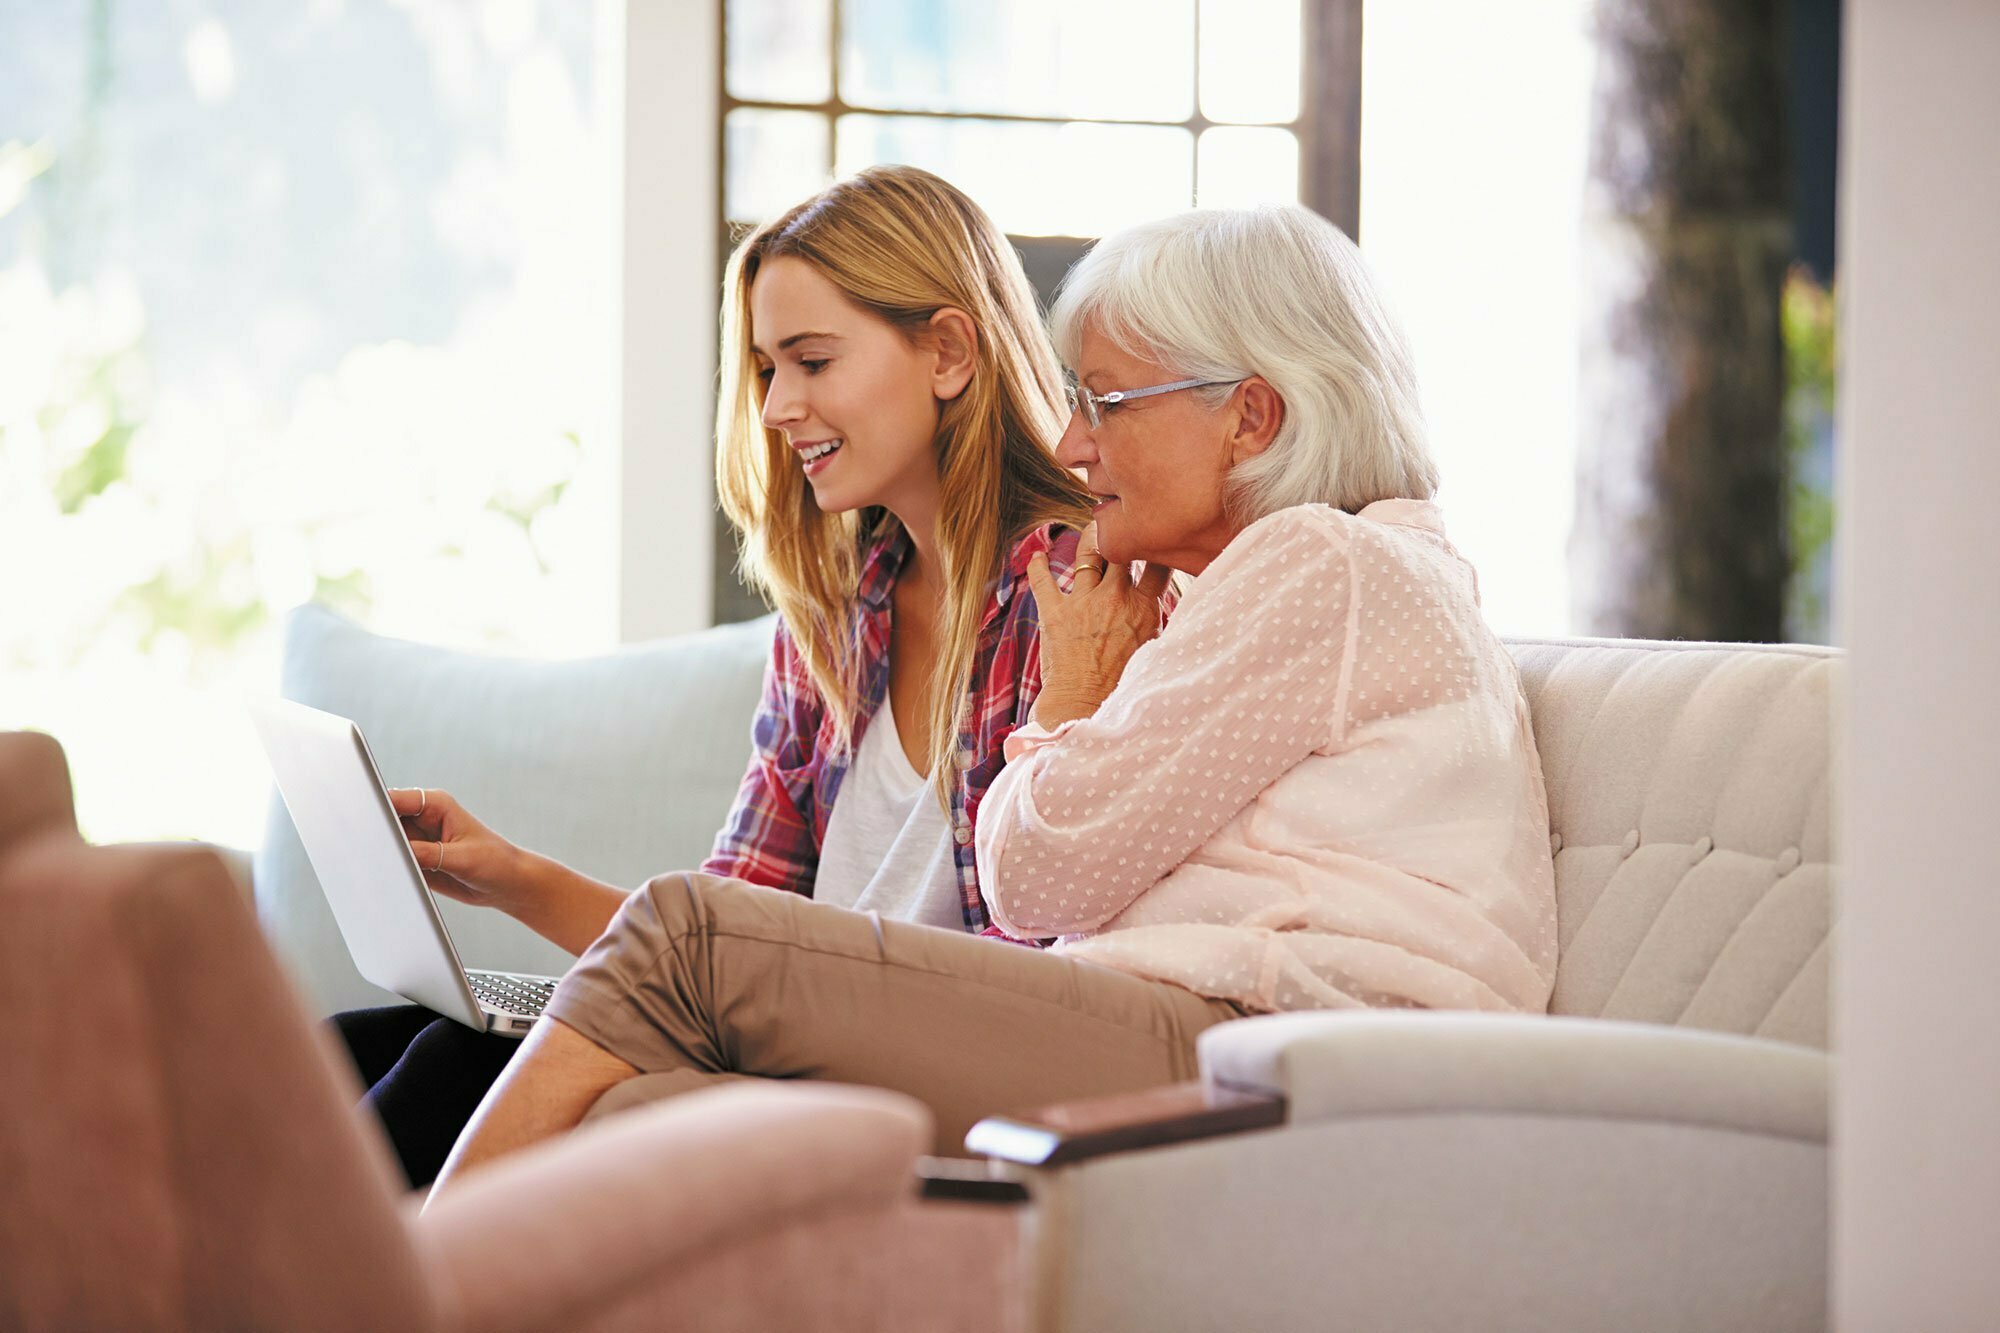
779,822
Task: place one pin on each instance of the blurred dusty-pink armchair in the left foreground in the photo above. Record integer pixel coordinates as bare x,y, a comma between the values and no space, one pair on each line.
179,1150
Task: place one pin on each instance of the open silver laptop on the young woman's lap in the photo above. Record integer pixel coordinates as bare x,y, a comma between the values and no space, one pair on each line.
381,902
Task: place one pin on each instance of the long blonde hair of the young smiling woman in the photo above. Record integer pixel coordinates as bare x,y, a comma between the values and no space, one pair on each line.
903,245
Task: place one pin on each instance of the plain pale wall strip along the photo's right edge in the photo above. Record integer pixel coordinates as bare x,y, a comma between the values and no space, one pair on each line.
1917,990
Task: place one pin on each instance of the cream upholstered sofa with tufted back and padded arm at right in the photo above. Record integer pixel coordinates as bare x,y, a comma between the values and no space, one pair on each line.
1651,1158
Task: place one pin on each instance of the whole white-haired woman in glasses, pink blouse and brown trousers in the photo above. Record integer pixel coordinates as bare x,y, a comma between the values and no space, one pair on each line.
1317,788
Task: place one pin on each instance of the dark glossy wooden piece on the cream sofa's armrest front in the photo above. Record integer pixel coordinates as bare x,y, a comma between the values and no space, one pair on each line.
1125,1122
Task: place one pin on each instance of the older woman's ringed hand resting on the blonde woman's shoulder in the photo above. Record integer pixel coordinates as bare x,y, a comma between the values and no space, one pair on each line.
1091,633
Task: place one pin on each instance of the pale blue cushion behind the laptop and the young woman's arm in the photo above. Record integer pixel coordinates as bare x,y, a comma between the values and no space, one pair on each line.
619,766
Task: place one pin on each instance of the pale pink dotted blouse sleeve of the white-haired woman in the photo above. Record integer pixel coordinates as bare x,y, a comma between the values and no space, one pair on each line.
1247,680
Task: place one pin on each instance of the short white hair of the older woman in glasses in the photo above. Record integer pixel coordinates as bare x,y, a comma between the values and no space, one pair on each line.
1229,293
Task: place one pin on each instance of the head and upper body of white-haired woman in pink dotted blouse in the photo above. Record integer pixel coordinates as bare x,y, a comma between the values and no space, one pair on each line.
1319,786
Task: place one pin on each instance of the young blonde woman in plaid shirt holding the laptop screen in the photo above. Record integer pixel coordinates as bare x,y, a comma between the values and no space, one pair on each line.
885,449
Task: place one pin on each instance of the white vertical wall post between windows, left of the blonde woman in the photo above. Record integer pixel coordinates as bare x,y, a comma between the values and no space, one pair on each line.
665,79
